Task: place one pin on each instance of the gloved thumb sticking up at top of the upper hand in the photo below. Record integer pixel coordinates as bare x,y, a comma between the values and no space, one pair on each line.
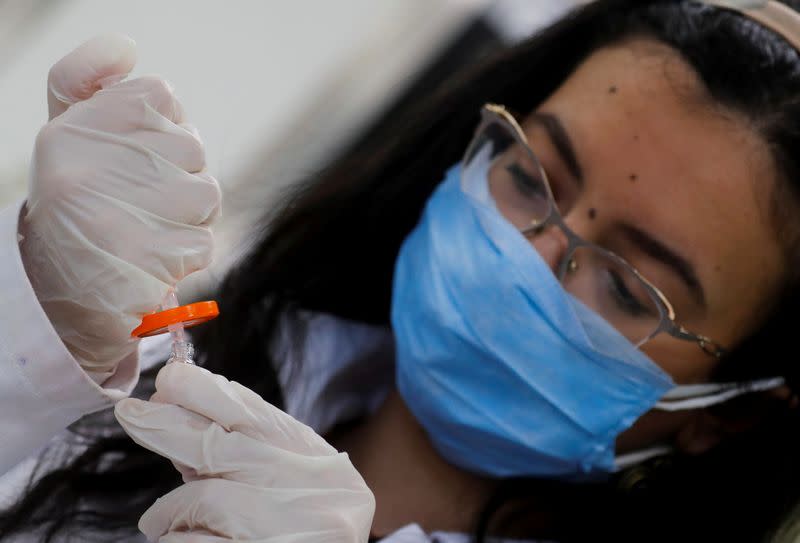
93,65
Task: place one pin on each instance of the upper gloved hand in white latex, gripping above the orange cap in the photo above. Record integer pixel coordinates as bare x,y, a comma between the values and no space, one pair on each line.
119,204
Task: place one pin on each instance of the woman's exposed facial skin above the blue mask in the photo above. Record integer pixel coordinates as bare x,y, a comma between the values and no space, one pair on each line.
643,163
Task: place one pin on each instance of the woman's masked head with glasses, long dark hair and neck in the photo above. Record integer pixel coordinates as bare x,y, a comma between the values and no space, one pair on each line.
667,133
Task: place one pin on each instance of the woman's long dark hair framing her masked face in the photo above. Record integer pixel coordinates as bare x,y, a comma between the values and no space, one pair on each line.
331,244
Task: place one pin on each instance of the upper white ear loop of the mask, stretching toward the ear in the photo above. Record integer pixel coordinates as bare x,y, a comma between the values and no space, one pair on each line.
685,397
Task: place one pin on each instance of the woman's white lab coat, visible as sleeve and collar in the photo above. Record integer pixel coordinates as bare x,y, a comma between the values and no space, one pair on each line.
346,371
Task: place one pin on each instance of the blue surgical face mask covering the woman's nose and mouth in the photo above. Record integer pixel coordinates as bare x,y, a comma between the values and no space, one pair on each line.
508,373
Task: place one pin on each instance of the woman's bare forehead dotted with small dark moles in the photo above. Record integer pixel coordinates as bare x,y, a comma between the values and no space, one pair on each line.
658,153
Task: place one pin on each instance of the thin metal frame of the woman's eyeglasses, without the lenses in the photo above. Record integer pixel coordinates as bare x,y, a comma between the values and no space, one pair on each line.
493,113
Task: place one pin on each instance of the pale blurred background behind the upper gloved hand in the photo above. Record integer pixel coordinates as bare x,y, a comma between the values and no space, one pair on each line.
276,88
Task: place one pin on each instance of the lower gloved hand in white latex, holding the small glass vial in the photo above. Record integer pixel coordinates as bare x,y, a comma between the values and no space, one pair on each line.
251,472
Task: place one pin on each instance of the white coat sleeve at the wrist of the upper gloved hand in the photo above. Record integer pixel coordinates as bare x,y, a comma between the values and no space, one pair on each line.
42,388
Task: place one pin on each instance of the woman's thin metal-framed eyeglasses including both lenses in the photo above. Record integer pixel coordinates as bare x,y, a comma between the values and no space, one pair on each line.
600,279
